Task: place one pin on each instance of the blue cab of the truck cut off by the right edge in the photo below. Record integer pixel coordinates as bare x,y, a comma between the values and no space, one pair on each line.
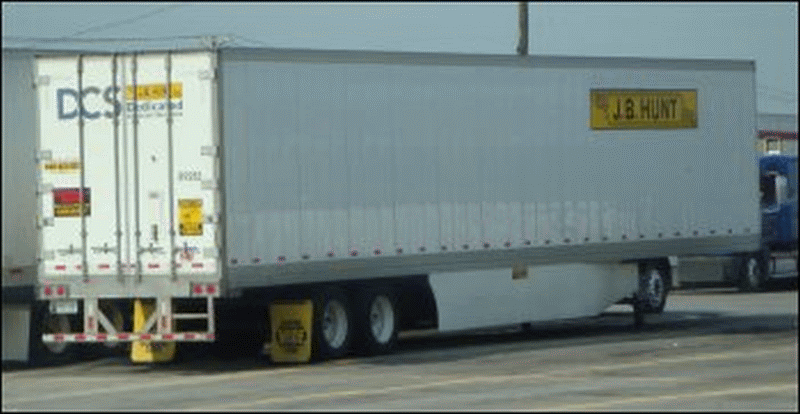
778,185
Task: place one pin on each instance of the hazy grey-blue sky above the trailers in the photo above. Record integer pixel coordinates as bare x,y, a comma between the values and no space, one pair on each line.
766,32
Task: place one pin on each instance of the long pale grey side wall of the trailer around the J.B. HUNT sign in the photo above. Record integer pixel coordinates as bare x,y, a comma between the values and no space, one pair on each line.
334,156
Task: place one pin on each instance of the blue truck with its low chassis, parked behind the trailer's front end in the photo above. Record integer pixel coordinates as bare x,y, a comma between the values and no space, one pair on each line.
776,260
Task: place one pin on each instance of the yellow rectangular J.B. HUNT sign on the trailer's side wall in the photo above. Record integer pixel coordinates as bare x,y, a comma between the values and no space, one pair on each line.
643,109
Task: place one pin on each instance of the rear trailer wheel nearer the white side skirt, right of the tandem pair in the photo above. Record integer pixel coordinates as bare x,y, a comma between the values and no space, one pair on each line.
377,320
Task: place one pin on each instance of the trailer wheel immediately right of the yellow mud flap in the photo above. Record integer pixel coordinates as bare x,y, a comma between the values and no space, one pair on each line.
333,324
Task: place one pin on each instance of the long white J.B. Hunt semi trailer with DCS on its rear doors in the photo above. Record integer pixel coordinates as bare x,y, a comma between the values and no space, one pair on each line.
394,190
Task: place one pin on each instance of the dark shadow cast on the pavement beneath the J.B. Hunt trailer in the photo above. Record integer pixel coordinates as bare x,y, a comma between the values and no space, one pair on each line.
608,328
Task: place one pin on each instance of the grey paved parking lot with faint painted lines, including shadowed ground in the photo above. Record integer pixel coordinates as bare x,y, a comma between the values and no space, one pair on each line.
712,349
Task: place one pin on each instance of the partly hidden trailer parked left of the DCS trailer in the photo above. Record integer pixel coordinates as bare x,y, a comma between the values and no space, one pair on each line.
24,318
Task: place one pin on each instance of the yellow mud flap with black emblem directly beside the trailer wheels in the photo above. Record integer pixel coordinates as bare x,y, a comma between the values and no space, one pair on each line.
291,331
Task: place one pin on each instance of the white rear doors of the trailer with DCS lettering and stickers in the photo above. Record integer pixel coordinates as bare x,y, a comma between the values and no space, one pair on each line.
127,161
